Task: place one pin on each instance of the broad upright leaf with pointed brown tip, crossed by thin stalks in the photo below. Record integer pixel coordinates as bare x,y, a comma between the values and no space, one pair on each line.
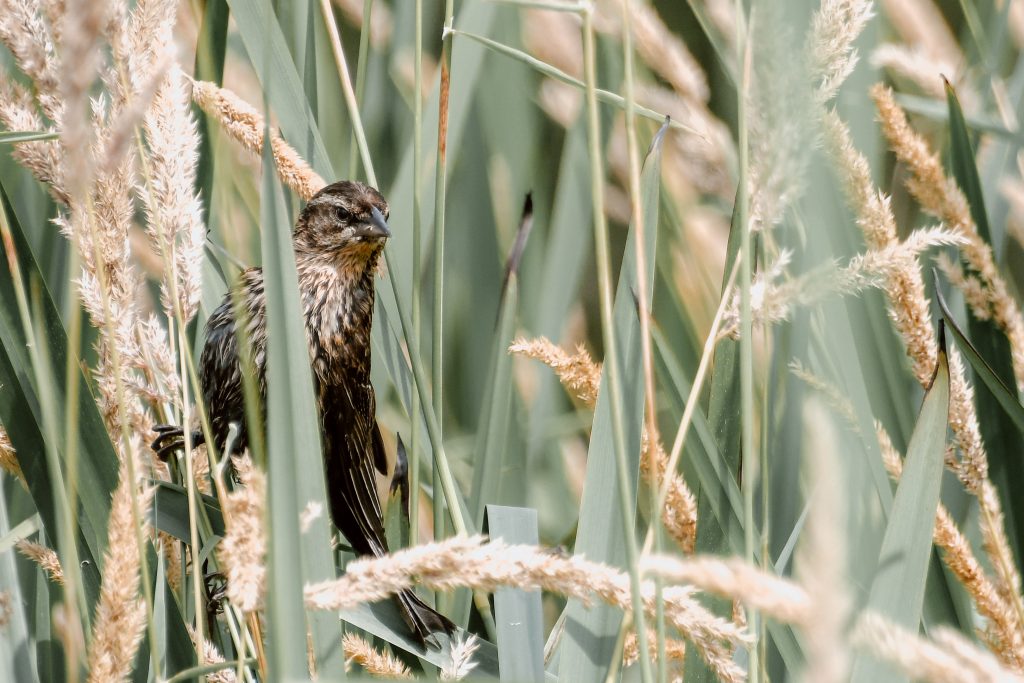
588,646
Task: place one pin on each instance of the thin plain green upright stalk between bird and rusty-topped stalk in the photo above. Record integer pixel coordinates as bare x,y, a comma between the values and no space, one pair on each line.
414,456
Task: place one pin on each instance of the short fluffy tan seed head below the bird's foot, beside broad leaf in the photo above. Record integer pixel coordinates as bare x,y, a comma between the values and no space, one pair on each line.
244,549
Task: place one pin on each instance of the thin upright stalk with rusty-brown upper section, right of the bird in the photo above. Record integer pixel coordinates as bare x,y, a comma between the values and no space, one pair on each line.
438,313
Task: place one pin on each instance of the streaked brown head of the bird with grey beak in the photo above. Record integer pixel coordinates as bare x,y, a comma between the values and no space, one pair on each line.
346,223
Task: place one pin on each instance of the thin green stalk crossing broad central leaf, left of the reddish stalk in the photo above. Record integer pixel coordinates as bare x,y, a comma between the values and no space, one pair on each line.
628,507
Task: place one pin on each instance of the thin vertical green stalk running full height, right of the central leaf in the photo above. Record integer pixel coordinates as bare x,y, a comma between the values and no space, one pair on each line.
749,448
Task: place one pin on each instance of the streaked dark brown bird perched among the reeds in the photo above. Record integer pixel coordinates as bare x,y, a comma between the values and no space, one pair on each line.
338,240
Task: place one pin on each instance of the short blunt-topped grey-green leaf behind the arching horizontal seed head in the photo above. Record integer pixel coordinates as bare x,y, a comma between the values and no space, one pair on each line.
519,614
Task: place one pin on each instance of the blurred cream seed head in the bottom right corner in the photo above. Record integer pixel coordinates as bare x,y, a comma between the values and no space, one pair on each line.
950,659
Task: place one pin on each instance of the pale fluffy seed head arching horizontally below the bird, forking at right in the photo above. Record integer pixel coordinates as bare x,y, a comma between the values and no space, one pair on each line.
468,563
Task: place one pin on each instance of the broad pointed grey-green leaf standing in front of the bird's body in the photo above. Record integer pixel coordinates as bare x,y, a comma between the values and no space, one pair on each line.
295,467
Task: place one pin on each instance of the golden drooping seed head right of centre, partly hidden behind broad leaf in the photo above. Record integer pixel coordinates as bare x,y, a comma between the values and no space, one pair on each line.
582,376
